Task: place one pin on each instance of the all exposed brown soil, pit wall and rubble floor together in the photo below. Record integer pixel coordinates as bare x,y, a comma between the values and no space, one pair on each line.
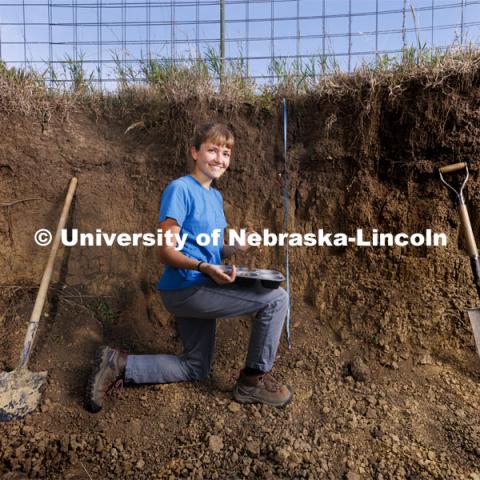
383,361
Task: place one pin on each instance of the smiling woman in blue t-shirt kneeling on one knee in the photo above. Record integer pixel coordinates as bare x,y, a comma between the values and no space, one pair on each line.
197,292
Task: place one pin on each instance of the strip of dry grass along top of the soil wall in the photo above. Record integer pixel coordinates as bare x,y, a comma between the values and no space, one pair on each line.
159,81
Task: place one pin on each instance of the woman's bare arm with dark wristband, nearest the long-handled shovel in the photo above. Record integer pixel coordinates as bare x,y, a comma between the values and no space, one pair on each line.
170,256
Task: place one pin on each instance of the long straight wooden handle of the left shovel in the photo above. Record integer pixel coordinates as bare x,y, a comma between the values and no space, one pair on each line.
47,275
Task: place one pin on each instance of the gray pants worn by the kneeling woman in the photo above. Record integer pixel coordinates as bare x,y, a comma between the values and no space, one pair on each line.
196,310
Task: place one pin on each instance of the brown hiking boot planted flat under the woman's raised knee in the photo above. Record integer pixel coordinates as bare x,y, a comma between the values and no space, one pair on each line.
261,388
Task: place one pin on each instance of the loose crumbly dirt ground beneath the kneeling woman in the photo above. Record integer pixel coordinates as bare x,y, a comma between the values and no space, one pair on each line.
390,416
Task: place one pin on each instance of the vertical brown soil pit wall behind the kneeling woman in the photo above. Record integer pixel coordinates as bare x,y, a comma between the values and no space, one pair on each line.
364,158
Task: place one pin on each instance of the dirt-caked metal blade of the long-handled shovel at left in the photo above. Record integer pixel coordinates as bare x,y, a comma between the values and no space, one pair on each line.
20,393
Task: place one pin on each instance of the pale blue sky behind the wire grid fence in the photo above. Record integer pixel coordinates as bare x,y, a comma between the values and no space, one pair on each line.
344,30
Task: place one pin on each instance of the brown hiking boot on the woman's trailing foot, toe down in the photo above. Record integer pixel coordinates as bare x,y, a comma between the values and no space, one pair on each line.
106,375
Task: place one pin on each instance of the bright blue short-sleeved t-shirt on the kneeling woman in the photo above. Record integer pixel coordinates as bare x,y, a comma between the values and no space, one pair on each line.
197,210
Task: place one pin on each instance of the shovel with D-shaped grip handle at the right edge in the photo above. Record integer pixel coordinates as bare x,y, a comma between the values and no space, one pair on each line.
471,247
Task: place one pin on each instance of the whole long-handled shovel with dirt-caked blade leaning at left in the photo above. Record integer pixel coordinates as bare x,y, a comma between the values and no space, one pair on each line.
21,389
